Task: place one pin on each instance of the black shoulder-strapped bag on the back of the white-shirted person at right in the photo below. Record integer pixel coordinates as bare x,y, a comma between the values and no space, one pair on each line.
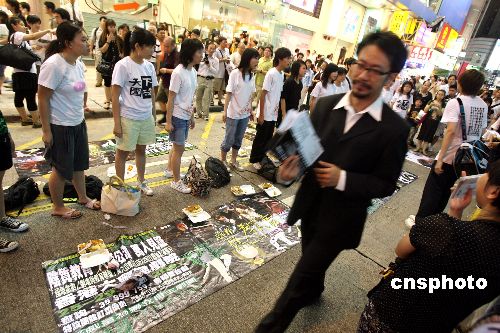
471,157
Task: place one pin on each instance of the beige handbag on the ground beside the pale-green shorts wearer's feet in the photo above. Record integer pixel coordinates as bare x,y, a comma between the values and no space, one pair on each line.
119,198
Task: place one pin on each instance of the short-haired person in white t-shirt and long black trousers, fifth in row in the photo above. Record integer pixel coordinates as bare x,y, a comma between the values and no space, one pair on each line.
269,105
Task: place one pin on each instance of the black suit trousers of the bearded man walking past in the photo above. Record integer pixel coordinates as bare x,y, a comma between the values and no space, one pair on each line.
307,280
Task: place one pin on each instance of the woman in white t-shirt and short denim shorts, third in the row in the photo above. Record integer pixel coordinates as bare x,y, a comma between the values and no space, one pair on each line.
180,113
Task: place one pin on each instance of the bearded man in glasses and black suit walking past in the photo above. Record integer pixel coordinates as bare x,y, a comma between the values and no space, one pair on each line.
365,147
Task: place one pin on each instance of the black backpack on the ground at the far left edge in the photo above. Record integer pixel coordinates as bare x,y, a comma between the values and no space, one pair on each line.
21,193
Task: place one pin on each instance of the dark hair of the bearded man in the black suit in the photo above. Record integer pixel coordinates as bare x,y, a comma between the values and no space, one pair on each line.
390,44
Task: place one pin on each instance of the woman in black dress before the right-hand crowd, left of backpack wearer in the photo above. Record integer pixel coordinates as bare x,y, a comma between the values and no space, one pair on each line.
433,113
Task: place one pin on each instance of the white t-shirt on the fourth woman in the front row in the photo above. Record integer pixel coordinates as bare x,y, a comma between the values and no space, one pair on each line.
240,104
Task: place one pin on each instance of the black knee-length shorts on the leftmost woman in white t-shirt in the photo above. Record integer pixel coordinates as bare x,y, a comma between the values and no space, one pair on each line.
70,149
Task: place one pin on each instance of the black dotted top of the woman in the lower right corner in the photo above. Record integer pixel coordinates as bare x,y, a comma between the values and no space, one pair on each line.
444,246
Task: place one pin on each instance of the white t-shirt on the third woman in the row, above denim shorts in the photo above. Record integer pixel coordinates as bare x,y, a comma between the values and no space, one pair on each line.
183,84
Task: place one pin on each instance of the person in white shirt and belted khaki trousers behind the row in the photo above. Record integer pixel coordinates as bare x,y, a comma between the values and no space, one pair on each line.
209,67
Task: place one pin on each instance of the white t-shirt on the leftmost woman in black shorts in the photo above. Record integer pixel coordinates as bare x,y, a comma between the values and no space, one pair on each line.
68,83
